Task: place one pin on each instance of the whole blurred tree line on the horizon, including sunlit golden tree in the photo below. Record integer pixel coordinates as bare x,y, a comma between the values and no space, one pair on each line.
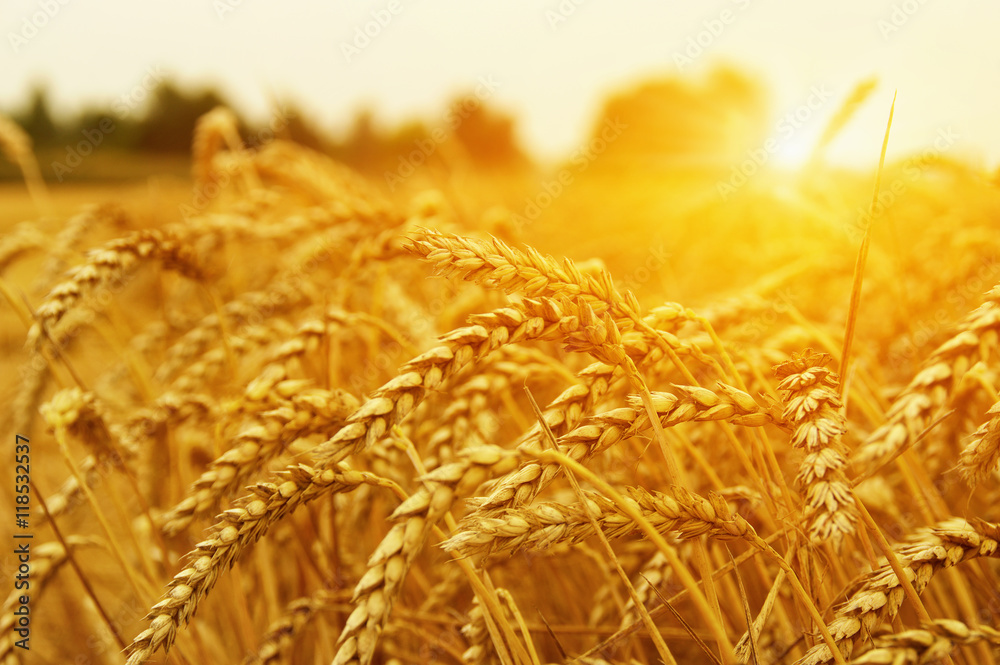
669,121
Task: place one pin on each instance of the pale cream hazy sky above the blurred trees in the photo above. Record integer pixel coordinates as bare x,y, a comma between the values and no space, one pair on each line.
551,63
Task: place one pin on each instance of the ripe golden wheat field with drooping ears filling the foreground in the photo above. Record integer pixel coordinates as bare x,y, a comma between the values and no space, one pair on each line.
301,421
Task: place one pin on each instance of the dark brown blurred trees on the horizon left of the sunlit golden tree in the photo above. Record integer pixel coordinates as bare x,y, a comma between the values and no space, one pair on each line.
164,123
